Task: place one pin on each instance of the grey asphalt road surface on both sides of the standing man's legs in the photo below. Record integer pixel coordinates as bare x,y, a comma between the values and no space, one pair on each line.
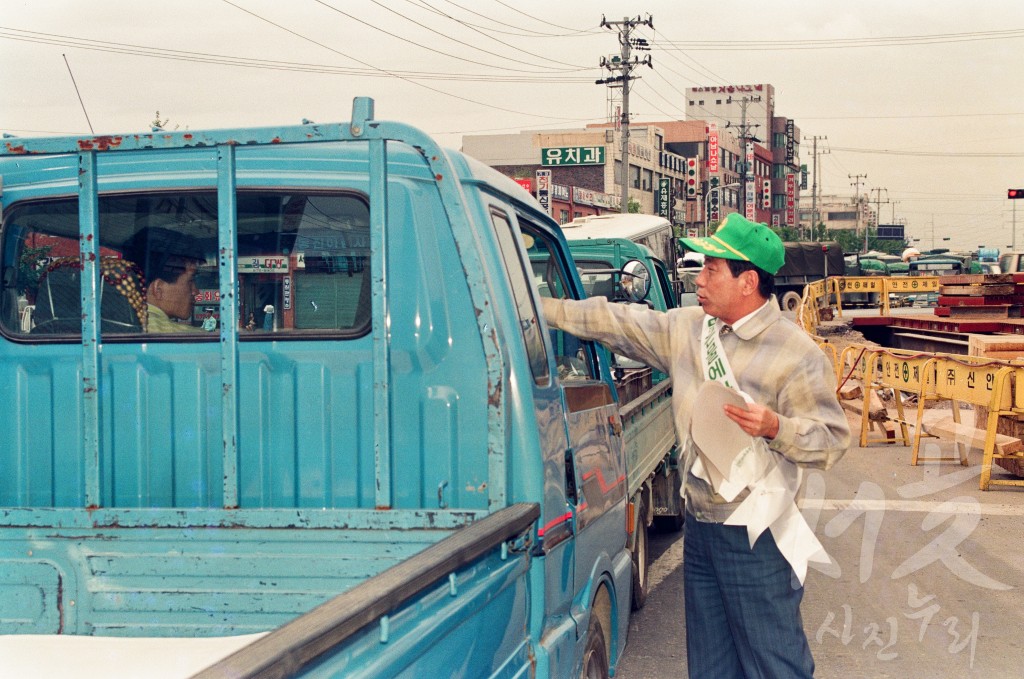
927,582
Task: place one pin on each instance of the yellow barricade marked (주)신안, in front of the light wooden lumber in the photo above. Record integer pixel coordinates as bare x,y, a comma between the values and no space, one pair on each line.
962,380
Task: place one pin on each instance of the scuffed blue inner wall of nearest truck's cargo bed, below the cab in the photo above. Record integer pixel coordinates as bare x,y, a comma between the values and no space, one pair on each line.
193,580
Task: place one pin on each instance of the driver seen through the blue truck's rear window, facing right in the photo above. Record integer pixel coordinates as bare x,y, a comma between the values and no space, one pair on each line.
169,261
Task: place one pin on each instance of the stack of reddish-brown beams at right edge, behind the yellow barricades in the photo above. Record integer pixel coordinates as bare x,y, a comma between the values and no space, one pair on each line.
980,295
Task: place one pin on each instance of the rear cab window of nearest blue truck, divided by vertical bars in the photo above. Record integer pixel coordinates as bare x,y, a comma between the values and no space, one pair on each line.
303,264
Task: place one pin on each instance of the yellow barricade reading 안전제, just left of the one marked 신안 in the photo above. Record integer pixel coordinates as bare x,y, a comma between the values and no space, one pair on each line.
904,372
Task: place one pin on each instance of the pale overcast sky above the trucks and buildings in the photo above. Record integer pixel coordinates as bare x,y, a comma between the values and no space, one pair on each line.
925,98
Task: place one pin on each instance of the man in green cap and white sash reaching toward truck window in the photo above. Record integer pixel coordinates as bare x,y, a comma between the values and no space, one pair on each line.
746,547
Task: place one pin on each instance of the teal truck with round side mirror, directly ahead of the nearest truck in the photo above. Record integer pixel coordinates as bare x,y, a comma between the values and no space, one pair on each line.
613,252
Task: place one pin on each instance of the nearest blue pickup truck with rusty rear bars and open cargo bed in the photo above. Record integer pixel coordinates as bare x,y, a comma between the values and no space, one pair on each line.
292,383
